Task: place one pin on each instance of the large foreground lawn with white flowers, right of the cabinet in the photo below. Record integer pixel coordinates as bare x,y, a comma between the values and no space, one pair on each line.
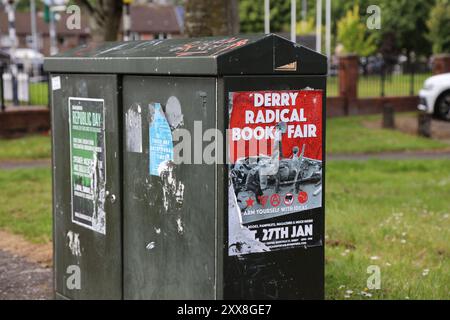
393,214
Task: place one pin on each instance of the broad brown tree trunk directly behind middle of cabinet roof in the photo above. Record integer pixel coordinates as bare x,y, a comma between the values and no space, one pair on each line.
212,17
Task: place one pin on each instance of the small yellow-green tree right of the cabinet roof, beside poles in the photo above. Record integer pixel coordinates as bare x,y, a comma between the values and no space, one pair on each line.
352,35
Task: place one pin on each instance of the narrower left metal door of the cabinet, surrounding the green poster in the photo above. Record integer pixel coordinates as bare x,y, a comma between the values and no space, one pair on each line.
100,258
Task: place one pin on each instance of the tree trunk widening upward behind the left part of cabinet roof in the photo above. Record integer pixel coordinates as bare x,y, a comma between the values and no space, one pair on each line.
104,18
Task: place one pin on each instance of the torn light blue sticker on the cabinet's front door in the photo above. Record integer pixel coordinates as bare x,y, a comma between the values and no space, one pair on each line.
160,137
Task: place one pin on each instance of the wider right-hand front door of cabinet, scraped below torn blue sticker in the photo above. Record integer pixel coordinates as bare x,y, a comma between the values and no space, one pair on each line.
169,247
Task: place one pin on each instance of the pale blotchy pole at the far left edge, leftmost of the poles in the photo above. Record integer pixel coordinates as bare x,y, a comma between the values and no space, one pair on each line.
10,7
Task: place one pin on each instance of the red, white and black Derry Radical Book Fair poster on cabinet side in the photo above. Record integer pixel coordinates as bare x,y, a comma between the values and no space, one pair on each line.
275,154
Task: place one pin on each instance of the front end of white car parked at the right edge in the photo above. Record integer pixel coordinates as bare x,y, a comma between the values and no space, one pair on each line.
435,96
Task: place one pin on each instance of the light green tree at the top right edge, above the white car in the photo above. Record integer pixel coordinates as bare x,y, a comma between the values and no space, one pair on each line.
439,27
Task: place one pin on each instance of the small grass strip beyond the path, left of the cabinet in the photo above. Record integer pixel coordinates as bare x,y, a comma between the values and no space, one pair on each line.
31,147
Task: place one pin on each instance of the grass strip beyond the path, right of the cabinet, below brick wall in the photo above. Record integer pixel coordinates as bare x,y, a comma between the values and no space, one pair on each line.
348,135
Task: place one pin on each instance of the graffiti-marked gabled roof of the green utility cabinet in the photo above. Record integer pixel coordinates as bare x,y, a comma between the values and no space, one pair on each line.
248,54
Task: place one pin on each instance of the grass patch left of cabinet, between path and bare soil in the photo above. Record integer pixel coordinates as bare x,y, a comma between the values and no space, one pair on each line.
25,203
